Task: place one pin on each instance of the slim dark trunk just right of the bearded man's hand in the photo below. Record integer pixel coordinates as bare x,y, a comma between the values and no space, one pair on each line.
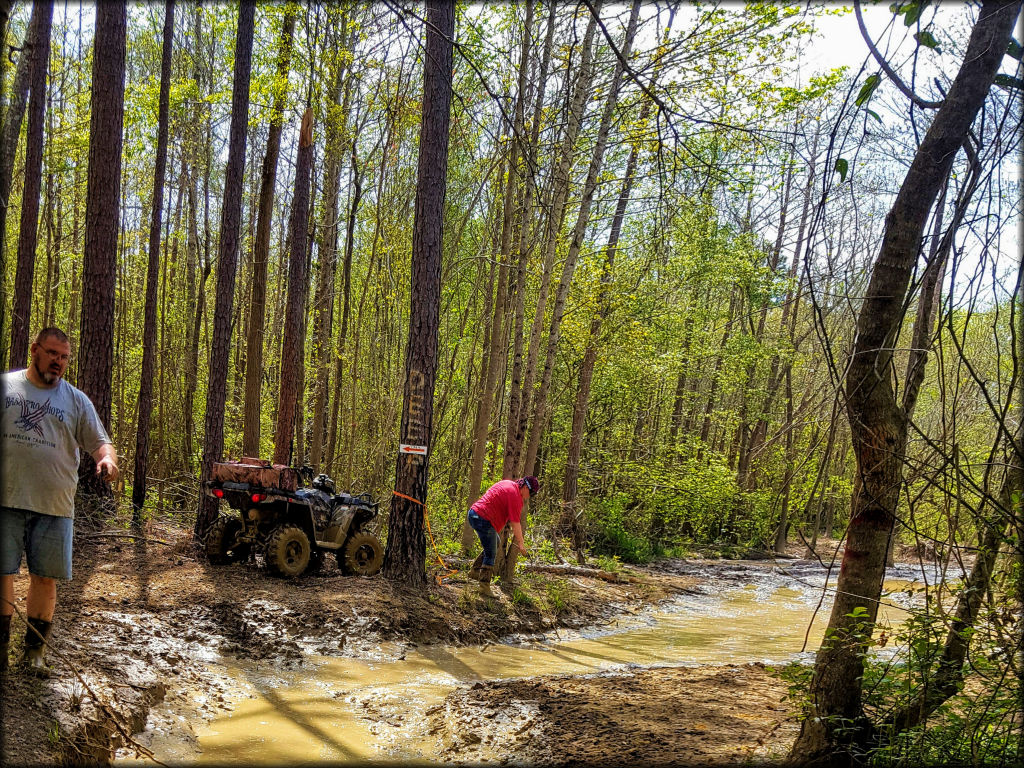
150,323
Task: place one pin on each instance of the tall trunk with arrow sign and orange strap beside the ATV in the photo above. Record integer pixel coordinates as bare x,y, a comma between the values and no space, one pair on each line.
405,560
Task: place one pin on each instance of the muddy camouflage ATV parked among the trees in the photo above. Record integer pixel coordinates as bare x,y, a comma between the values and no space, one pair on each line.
292,526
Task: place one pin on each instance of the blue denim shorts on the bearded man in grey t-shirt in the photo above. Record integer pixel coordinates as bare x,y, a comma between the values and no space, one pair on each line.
45,539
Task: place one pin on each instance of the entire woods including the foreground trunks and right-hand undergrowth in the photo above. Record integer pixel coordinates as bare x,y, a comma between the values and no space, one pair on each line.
713,300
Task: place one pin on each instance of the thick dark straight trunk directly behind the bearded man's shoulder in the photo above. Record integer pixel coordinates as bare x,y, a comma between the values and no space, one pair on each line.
102,222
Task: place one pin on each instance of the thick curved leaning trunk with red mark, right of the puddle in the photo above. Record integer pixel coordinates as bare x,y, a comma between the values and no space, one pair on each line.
836,724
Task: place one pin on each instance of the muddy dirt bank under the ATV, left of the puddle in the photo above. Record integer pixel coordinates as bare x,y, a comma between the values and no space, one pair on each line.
144,617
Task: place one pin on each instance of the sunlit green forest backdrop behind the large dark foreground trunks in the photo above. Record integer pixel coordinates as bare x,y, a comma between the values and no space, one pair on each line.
651,277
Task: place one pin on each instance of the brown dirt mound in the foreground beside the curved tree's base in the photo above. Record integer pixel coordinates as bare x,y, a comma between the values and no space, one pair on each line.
662,716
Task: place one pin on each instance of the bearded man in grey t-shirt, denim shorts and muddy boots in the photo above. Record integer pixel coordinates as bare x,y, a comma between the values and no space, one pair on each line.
45,424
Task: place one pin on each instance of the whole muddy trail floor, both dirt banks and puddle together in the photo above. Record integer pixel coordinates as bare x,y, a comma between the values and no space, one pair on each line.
155,649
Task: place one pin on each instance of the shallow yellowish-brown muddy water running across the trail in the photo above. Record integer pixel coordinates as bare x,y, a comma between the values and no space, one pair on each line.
375,706
